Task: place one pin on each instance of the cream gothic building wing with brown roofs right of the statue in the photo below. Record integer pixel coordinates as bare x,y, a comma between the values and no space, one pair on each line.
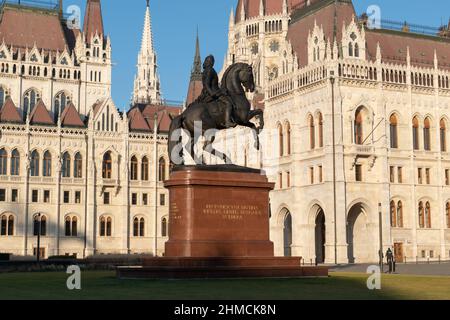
358,121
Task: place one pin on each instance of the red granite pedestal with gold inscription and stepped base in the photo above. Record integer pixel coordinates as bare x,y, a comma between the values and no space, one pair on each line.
219,228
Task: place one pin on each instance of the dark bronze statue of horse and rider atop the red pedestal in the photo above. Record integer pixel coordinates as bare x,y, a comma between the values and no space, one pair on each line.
218,108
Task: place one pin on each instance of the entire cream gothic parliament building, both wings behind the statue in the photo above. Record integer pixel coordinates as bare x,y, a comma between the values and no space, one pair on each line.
357,116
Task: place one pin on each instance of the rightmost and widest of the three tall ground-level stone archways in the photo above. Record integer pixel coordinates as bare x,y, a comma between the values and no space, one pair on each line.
360,246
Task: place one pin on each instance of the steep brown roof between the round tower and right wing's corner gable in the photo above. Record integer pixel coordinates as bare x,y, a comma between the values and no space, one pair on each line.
323,13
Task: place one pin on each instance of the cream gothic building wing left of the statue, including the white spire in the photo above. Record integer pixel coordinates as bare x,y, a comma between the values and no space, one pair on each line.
73,167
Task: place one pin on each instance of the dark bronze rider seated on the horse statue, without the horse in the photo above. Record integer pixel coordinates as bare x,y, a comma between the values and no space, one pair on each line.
211,92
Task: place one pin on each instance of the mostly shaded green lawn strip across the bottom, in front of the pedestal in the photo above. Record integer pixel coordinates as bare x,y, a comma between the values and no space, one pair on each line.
104,285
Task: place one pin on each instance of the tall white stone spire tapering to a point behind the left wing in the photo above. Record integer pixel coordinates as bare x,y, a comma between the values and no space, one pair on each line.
146,82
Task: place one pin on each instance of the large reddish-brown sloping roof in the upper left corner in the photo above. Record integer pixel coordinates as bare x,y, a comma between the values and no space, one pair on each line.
24,27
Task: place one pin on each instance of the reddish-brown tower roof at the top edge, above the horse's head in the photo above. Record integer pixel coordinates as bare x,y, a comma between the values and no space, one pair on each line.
271,7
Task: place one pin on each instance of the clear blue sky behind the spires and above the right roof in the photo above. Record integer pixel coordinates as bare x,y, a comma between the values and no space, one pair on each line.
174,28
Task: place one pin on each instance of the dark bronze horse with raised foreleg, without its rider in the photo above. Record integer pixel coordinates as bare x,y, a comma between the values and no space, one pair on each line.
236,78
